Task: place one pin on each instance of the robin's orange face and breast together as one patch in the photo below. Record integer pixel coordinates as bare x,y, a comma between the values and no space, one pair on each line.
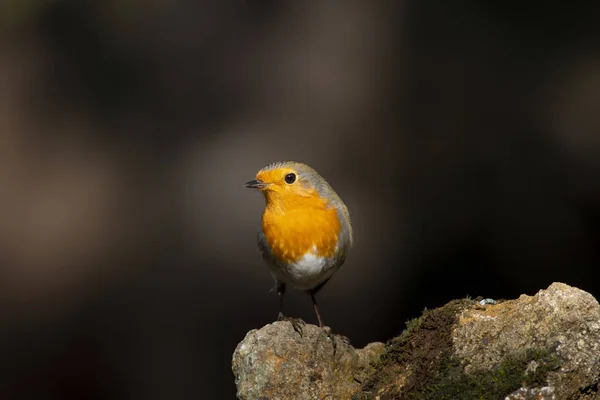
296,220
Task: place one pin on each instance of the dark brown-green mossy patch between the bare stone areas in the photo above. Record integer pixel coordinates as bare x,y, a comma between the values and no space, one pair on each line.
420,364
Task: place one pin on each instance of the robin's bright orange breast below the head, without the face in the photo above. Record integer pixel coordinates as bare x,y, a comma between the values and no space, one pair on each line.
293,233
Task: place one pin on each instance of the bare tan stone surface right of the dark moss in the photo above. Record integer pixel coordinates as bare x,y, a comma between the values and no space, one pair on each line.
561,319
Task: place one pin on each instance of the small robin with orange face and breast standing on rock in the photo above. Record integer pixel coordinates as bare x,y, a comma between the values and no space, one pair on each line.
306,230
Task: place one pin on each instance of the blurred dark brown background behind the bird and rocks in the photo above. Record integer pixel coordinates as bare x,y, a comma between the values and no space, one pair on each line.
464,137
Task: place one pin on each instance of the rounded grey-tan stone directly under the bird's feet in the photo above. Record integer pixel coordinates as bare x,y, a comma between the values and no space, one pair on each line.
280,362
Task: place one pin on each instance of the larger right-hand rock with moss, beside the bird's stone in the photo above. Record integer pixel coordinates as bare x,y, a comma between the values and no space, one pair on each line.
536,347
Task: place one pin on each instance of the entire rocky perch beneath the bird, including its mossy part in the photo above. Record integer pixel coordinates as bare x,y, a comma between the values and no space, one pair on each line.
545,346
